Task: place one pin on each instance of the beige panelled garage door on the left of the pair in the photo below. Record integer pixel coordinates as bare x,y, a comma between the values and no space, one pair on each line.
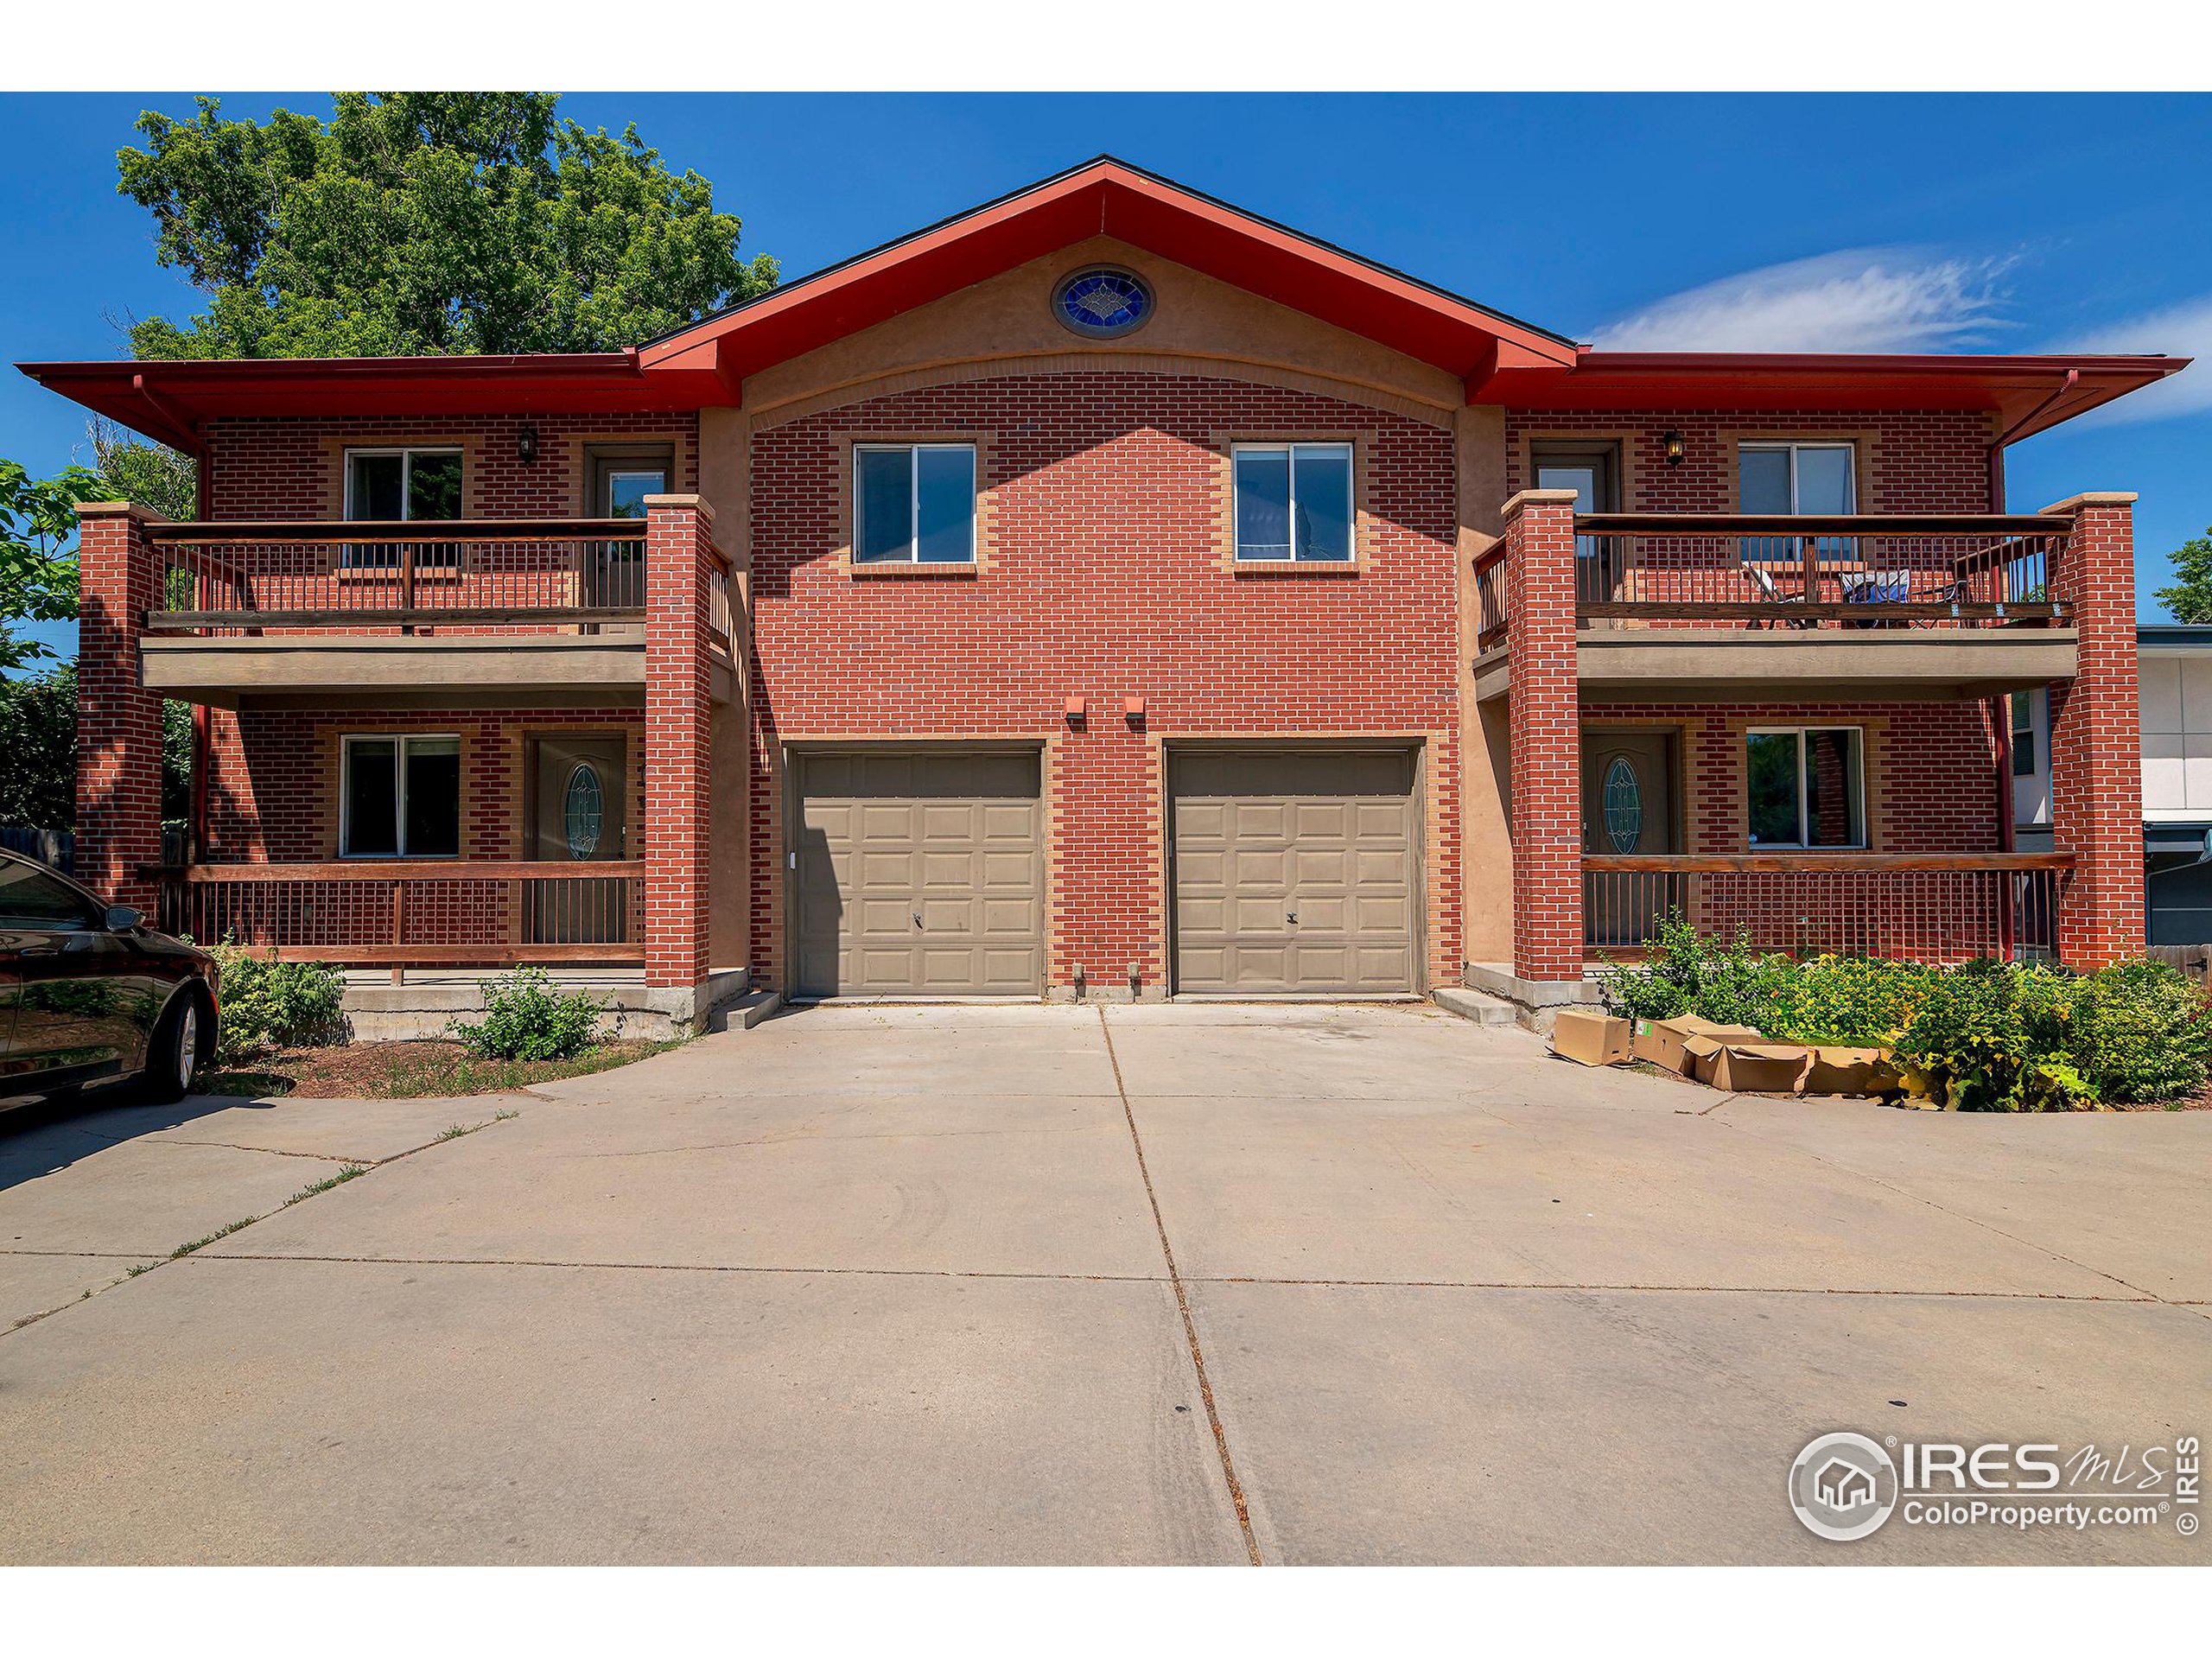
919,875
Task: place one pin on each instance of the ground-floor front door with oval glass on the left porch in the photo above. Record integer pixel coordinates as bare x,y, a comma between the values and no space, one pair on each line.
578,815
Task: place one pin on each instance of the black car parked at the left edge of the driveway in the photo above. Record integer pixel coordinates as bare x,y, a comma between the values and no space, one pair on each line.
90,992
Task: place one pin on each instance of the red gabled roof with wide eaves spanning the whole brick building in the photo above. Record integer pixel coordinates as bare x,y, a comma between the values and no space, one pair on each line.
1501,359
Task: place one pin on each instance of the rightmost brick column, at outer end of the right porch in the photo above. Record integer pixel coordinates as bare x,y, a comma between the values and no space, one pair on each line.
2098,740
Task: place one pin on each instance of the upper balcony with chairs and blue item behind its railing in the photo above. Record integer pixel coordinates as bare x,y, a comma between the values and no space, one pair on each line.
1740,605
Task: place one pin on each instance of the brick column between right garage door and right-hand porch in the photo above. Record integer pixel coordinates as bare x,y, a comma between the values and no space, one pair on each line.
1545,731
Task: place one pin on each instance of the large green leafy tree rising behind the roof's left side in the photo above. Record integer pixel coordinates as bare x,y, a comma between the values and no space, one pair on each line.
426,225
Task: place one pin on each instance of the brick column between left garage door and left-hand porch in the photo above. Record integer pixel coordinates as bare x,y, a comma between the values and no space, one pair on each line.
678,758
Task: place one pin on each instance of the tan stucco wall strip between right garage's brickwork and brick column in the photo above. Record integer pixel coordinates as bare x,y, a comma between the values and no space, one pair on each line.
1485,839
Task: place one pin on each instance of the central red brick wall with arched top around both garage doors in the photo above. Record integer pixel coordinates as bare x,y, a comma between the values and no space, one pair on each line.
1105,578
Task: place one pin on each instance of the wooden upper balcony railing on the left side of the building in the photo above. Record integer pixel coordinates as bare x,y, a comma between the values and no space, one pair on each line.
236,578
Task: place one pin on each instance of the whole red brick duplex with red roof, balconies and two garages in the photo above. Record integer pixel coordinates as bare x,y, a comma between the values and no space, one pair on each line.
1109,594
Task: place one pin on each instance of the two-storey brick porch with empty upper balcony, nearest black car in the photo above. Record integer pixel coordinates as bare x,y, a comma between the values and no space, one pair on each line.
421,753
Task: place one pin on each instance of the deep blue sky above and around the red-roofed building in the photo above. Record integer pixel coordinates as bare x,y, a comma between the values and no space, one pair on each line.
1890,222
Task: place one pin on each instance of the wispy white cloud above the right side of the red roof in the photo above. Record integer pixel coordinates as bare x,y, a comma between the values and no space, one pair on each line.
1857,300
